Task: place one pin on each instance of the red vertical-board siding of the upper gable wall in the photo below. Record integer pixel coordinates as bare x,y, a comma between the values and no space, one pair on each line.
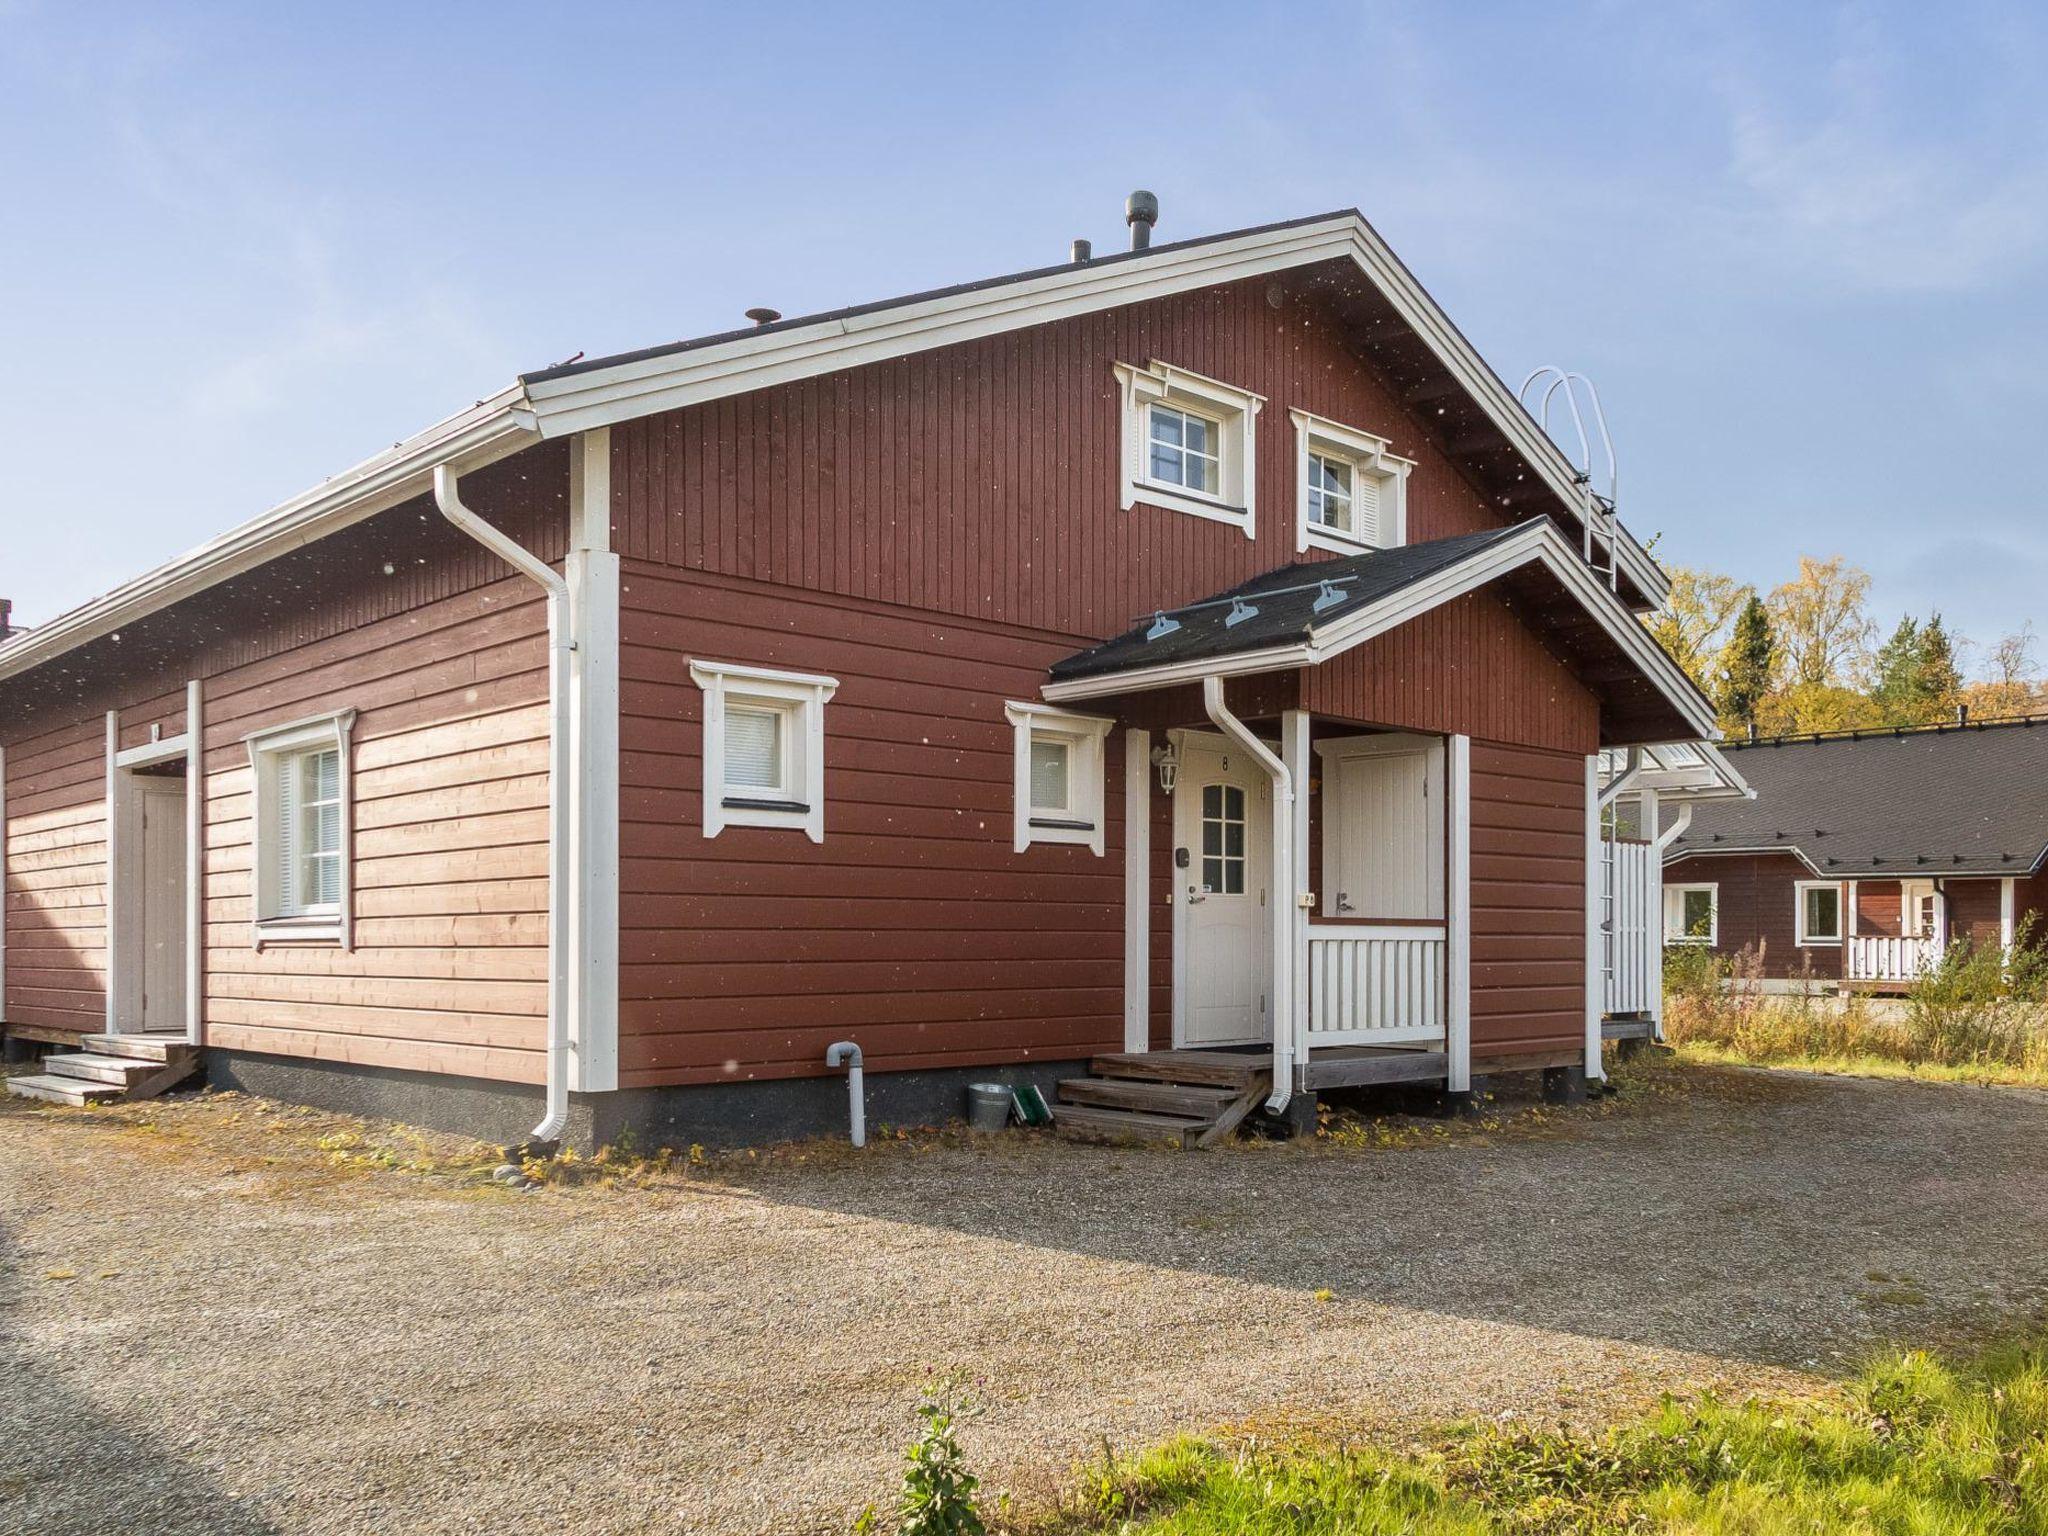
982,480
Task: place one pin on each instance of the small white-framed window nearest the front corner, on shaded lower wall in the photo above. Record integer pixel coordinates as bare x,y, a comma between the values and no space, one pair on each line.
765,749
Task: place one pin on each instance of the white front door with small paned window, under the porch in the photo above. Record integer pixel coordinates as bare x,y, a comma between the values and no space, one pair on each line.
1222,878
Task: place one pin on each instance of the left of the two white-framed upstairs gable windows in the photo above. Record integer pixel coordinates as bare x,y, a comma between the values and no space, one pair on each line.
1189,443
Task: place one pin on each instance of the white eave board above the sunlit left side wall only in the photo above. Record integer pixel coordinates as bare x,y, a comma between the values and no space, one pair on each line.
472,439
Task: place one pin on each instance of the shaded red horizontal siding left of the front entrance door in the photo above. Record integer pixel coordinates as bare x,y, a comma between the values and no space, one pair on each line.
914,923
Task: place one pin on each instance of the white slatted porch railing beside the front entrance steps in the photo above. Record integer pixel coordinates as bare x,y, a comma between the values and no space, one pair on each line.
1375,984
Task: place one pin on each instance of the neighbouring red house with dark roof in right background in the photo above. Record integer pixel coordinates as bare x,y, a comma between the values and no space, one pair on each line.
1865,855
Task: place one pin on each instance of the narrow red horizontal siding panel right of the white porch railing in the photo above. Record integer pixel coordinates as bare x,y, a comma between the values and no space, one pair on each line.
1529,900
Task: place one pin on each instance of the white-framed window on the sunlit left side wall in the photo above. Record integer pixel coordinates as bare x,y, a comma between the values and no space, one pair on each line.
302,830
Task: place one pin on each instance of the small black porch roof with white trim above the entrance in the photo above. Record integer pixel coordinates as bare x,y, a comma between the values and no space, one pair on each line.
1310,613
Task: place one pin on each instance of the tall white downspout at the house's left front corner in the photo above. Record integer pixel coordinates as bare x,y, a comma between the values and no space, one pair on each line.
560,790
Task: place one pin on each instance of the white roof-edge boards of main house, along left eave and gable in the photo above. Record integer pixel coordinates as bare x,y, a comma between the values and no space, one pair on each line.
583,396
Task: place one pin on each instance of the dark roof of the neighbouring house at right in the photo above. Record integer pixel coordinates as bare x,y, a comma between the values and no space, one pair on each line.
1967,800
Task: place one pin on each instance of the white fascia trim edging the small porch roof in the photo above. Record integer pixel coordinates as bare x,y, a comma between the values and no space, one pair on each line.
1539,542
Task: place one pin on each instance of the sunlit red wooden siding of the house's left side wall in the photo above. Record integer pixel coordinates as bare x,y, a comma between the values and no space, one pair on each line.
443,656
